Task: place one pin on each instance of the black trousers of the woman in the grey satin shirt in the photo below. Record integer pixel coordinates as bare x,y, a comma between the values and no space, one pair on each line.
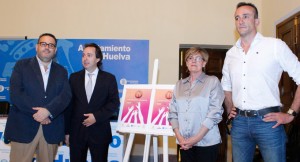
200,154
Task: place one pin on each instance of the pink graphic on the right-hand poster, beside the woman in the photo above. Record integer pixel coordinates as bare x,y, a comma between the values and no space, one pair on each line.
161,107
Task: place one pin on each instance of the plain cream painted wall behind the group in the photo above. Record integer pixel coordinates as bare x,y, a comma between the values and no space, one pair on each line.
166,24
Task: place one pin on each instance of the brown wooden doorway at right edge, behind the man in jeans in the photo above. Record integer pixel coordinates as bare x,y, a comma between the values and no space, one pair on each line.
289,32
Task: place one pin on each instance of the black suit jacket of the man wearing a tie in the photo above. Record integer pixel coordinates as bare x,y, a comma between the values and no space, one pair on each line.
103,103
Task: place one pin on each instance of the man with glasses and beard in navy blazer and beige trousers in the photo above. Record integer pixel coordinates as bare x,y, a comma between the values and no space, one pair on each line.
39,92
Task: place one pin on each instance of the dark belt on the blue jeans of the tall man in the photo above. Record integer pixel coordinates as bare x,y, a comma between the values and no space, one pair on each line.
261,112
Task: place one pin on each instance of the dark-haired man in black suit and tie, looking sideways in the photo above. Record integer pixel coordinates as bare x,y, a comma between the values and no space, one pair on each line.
95,99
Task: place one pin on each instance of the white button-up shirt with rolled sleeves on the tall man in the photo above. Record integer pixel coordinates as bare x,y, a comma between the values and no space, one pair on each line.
253,77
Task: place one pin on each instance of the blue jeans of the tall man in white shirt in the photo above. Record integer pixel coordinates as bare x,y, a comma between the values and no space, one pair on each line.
247,132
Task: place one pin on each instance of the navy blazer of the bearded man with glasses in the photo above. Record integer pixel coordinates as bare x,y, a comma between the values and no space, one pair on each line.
27,91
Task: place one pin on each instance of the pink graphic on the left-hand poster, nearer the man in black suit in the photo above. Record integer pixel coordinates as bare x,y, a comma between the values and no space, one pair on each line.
136,106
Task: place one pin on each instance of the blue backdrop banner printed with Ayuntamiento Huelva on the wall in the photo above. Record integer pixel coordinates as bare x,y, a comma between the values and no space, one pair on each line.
126,59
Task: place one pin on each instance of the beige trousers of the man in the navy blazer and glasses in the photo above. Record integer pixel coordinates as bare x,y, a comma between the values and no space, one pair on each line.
24,152
